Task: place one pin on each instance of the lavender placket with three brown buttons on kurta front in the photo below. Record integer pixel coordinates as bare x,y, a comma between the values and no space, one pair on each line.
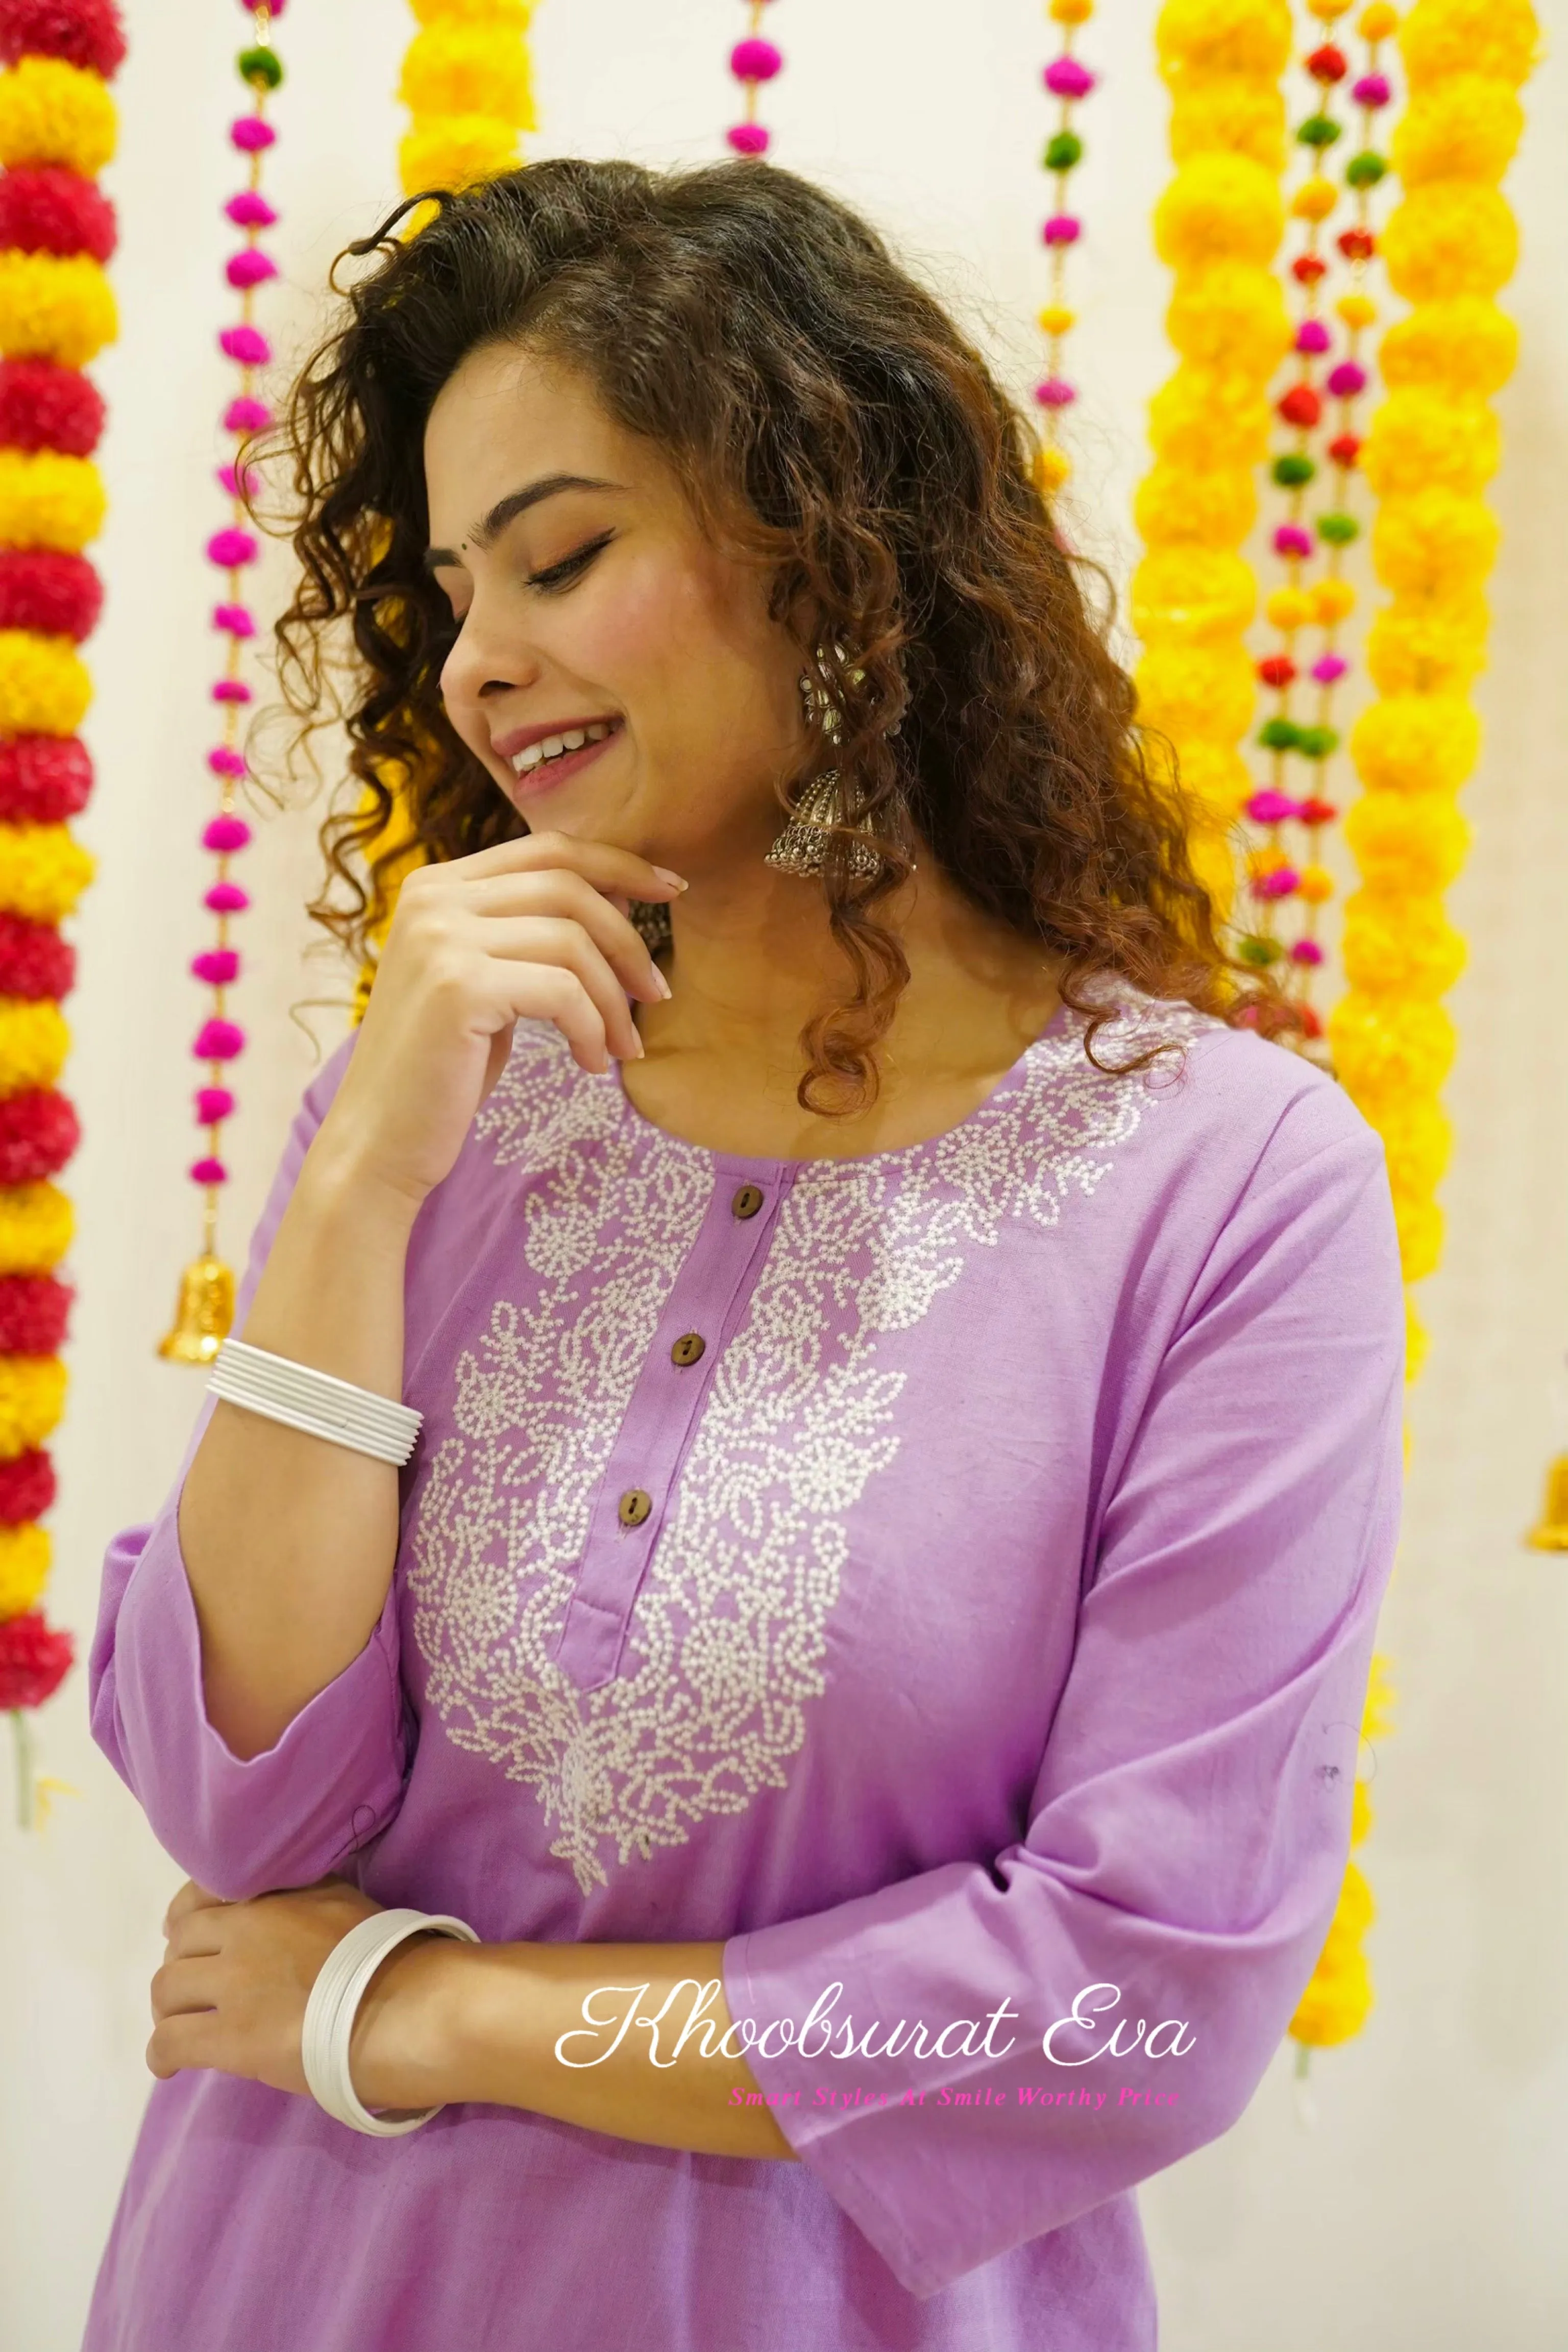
662,1417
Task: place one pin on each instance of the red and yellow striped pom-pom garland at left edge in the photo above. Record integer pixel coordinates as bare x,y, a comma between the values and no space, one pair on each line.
58,131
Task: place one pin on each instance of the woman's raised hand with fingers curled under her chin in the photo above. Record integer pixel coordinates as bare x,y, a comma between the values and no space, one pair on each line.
528,930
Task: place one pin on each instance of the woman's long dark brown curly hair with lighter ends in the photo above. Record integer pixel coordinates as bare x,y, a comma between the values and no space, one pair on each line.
831,422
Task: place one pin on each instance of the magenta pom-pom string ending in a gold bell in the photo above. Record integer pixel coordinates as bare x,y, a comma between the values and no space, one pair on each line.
208,1285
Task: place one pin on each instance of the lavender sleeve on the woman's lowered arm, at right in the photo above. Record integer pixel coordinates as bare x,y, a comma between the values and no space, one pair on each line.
1191,1819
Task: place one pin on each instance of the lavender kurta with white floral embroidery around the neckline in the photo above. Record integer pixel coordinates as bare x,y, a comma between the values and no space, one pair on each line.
996,1641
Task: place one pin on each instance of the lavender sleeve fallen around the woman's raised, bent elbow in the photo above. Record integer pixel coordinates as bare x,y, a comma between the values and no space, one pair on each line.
335,1777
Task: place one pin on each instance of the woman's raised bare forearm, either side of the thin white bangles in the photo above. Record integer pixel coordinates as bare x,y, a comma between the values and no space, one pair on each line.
290,1539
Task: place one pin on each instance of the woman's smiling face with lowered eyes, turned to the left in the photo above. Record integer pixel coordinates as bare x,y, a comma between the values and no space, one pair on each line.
617,676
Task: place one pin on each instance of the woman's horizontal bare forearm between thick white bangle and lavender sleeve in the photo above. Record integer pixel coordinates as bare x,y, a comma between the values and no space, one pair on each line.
448,2022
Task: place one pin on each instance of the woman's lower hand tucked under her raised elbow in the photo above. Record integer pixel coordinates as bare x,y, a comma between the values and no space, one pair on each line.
236,1979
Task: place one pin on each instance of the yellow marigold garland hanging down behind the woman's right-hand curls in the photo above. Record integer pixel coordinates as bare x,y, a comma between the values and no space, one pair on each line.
1219,227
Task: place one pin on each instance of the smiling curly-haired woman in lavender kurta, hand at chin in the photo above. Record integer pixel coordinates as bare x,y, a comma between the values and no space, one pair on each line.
911,1377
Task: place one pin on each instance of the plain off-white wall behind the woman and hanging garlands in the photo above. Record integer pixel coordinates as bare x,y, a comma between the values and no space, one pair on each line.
1423,2207
